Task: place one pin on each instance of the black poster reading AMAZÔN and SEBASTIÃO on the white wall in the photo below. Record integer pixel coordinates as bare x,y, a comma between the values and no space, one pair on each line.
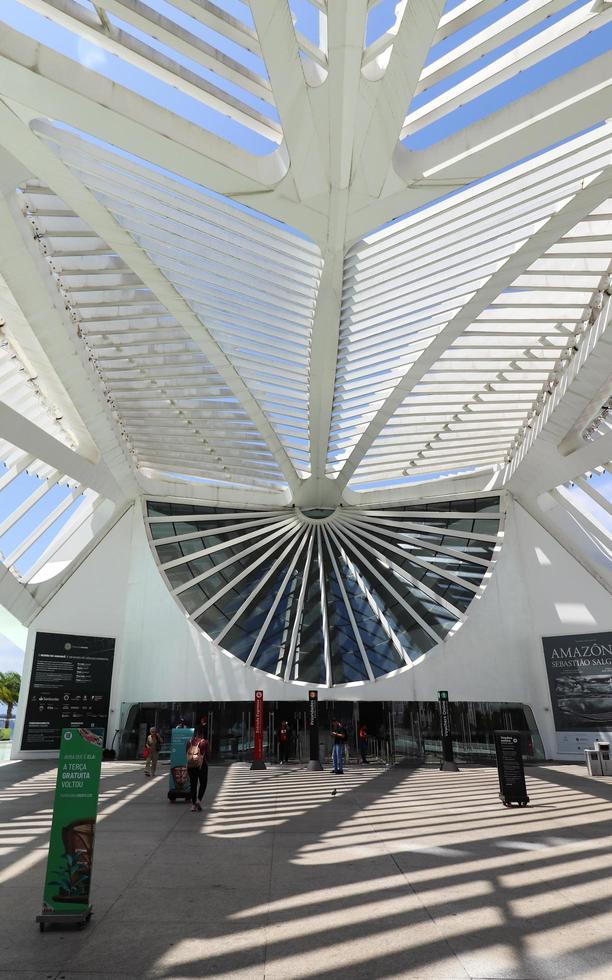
579,671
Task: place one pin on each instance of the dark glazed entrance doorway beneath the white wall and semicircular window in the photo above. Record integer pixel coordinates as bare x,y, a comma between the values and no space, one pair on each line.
396,730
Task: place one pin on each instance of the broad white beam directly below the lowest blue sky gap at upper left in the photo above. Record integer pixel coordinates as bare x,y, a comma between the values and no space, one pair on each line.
57,87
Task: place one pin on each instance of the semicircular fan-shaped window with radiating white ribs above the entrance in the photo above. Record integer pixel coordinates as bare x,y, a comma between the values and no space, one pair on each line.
327,596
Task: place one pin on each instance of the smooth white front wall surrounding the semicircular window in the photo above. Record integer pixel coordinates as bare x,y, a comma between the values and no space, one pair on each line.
537,589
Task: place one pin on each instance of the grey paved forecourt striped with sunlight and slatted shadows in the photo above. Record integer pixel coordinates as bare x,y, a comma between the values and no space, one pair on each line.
402,874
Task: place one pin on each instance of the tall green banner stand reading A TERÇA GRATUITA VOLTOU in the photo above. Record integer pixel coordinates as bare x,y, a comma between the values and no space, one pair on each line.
70,860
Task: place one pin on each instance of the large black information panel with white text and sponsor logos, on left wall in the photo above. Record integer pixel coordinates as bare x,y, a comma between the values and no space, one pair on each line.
69,687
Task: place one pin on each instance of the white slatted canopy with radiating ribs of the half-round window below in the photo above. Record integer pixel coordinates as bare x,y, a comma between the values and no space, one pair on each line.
323,260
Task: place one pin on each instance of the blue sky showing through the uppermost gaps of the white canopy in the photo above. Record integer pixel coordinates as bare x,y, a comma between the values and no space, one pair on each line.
380,19
